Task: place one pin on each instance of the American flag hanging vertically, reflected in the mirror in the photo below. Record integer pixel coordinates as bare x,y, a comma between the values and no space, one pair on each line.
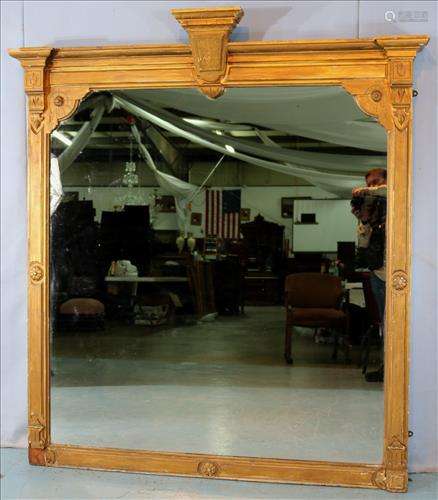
222,213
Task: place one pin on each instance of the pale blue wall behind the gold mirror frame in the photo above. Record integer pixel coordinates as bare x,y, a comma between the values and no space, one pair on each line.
53,23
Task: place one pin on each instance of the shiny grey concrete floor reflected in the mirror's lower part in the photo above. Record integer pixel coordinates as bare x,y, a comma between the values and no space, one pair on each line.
219,387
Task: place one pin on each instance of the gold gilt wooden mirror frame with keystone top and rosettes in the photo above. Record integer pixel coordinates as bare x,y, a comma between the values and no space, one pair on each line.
377,72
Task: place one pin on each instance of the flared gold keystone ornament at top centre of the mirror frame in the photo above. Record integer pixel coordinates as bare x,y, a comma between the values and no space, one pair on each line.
209,32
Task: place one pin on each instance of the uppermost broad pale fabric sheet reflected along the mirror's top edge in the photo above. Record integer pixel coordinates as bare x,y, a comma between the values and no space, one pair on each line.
328,114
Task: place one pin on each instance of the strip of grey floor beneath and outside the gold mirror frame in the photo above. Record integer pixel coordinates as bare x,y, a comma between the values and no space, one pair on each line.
22,481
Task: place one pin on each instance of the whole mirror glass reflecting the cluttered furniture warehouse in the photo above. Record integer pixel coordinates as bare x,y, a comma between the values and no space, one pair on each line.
216,287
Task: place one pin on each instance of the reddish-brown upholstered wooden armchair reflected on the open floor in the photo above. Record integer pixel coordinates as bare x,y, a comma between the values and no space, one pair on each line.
313,300
